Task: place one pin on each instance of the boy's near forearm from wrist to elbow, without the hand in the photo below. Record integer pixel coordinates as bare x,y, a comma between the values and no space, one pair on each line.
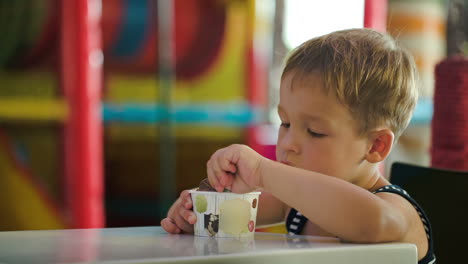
321,198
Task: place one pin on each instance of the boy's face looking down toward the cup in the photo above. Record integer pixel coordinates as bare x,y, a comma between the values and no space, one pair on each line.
317,132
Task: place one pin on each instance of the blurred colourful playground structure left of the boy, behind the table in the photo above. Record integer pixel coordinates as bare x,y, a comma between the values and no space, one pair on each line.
46,170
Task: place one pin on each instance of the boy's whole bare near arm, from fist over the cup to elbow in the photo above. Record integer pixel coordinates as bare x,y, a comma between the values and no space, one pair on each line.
339,207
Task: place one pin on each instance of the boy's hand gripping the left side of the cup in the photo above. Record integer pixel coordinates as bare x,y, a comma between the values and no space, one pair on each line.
180,218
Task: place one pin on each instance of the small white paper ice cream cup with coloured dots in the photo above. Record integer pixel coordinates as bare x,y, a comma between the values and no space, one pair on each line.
222,214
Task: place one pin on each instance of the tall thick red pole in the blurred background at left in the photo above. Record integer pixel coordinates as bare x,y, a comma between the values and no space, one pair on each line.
82,79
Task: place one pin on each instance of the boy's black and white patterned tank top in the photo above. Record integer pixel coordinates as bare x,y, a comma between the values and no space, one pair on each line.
296,221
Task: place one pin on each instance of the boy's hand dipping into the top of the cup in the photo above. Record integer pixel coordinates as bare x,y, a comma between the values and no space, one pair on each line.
235,168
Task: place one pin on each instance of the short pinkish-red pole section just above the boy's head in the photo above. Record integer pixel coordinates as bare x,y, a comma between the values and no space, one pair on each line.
375,14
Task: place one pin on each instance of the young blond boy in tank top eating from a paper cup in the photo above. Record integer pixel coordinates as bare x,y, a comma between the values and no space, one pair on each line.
344,100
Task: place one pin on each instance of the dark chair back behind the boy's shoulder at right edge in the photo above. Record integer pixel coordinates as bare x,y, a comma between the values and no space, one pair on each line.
443,194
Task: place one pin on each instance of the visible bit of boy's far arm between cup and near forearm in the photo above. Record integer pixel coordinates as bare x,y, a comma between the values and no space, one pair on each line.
270,209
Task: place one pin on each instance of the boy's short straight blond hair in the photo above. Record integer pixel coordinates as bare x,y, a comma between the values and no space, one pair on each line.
368,72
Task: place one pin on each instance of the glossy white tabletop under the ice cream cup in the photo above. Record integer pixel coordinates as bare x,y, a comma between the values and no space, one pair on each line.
154,245
